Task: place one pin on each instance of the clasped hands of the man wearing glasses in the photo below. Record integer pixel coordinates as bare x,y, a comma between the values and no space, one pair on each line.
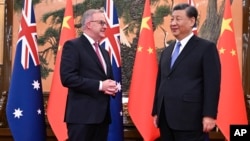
109,87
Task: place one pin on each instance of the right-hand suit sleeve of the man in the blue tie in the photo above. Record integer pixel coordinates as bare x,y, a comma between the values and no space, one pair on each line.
212,80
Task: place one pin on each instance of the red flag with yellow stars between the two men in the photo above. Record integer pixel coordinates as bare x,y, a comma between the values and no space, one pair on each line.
142,87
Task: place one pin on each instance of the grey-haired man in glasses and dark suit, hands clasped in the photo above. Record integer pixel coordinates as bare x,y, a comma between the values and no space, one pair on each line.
86,71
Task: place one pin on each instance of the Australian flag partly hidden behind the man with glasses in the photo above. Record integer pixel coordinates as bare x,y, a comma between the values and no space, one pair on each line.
112,44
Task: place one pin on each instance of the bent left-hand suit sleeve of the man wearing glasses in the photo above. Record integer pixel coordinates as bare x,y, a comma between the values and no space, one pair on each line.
70,69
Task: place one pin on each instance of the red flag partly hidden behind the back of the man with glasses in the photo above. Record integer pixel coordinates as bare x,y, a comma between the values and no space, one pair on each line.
58,93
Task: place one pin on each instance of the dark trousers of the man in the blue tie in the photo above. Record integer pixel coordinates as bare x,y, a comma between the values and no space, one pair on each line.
169,134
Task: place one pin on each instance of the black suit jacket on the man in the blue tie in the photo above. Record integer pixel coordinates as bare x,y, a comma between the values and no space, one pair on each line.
190,90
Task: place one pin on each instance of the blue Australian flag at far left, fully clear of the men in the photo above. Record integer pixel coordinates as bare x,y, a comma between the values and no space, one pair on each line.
25,111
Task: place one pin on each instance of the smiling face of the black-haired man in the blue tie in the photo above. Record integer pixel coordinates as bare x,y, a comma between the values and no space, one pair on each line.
181,25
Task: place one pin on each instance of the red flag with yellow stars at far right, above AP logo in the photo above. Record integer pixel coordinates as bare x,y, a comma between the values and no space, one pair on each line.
231,108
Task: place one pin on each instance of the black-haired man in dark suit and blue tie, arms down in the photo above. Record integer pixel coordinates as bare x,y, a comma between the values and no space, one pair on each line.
187,90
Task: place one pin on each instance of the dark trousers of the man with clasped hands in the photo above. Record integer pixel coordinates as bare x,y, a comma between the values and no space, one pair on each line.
88,132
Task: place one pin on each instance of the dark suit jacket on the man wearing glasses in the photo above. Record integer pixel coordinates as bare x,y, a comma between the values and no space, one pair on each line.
81,72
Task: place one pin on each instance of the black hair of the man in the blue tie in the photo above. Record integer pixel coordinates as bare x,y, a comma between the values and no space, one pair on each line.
191,11
